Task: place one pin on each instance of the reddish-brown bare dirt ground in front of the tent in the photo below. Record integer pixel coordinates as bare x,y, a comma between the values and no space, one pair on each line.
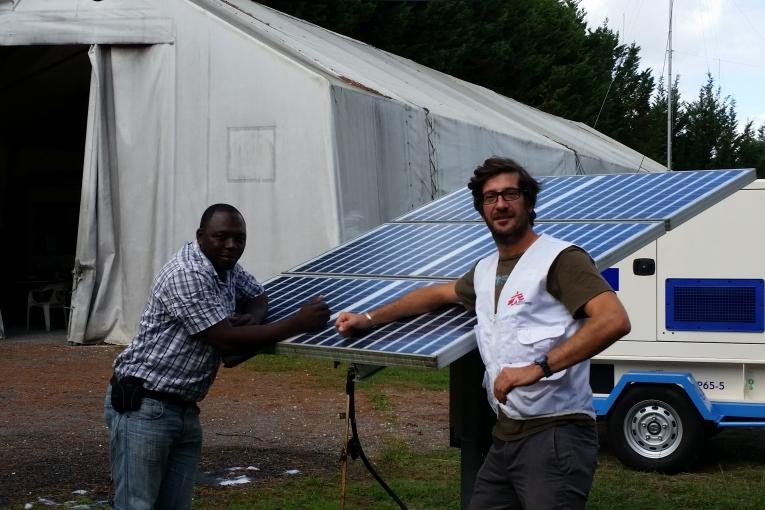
53,440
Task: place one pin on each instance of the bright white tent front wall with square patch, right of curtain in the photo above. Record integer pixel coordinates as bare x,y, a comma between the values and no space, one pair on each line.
232,85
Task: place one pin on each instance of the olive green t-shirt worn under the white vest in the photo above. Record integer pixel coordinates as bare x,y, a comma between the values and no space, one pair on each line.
573,280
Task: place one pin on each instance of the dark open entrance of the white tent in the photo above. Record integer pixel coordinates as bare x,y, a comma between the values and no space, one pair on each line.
42,138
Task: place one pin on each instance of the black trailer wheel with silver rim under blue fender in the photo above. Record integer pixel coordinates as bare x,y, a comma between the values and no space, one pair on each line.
656,428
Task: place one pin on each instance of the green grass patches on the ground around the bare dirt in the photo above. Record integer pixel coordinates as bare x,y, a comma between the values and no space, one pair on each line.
426,480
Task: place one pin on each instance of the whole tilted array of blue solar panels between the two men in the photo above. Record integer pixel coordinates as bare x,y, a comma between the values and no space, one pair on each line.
610,216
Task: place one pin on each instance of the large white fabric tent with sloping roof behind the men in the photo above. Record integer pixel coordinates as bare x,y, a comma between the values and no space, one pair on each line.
315,137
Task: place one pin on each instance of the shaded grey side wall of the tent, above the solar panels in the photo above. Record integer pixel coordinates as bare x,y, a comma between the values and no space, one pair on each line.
385,167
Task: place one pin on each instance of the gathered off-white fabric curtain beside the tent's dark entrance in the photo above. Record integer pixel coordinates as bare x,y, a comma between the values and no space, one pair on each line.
123,223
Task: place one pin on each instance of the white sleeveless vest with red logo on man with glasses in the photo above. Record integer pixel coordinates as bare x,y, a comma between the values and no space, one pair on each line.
527,324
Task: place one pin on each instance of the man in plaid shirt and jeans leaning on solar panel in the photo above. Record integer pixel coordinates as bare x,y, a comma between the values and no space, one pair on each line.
203,306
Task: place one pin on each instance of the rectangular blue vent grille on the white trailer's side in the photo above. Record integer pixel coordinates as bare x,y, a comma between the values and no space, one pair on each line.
715,305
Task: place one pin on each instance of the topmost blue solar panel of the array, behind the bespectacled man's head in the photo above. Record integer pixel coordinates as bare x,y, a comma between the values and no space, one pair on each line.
613,197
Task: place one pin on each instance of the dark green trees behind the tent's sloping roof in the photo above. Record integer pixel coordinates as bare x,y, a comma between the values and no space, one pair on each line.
543,54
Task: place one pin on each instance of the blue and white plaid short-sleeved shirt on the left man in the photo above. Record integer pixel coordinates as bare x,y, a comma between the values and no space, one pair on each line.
187,297
